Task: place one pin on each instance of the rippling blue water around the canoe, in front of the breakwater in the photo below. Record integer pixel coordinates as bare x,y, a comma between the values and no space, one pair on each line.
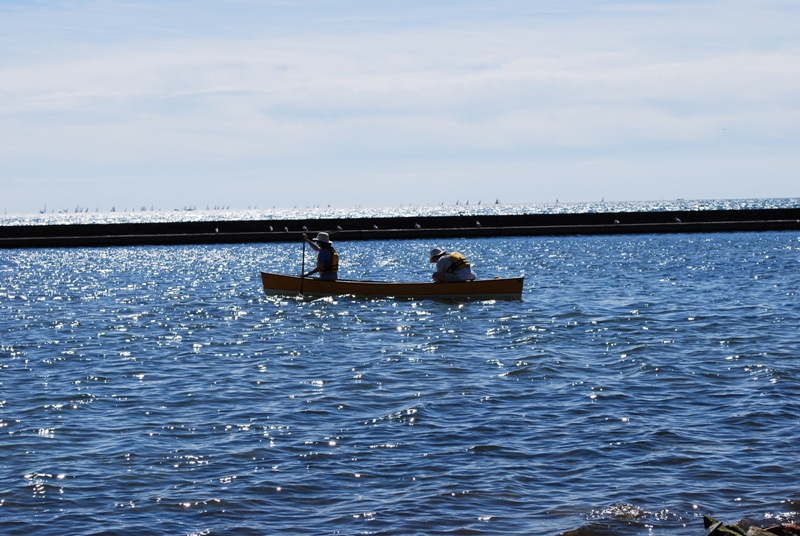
641,382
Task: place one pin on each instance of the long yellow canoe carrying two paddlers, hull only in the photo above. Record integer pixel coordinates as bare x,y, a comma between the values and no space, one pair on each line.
479,289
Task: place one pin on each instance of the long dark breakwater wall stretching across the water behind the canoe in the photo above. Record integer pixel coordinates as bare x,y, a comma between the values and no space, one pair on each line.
229,232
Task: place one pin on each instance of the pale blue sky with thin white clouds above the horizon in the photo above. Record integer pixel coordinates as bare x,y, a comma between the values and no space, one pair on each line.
347,103
